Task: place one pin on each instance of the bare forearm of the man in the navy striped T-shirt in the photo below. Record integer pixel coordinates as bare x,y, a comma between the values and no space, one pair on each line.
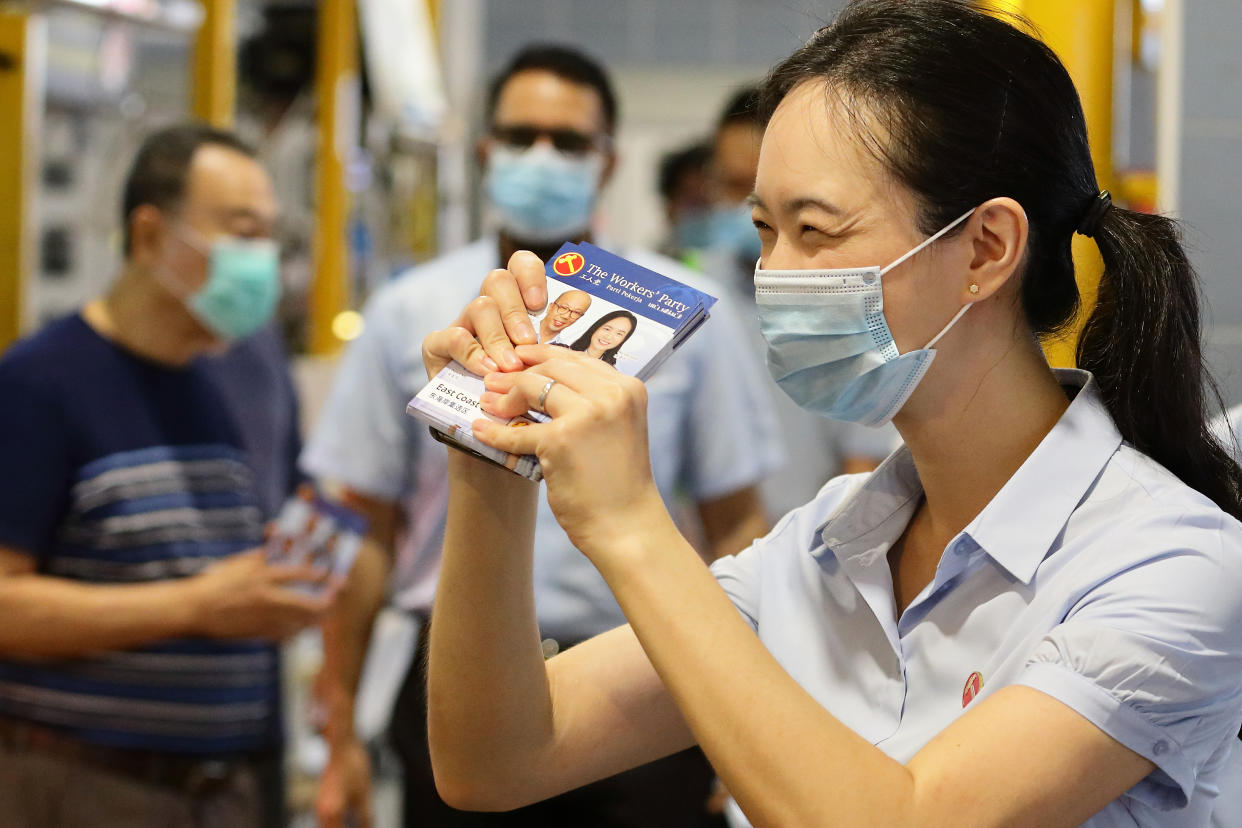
50,618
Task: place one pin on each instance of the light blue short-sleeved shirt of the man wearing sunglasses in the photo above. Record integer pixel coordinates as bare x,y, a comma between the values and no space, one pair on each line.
711,430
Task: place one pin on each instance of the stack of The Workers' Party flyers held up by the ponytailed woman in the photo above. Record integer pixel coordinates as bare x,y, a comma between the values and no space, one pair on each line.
598,304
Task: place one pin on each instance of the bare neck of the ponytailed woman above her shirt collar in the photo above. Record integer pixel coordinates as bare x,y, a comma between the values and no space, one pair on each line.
976,420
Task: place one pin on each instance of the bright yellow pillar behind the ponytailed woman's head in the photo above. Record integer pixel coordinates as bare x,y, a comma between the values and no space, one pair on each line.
1081,34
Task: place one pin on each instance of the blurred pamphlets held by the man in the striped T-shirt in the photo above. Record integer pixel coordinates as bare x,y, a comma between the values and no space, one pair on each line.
314,531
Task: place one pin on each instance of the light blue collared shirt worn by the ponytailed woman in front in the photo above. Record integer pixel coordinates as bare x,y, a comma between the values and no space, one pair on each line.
1095,575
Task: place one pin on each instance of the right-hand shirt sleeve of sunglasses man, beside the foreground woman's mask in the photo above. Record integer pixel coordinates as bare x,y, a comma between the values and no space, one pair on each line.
732,430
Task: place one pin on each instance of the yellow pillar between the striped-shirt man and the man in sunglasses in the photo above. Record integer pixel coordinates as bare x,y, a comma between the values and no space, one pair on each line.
337,109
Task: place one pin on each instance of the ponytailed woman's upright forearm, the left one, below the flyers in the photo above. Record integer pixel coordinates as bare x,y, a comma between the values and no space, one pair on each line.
489,703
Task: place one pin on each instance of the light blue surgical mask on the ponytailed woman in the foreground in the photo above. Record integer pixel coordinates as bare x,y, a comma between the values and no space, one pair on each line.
829,344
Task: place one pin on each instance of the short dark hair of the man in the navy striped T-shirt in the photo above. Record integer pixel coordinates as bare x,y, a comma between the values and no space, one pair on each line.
158,173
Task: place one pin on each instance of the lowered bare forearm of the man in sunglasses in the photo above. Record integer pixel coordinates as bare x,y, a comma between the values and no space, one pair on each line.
347,632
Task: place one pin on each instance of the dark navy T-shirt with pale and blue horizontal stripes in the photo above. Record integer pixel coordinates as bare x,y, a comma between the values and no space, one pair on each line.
121,471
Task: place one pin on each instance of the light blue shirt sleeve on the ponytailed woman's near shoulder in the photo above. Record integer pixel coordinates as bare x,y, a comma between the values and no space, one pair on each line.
1153,656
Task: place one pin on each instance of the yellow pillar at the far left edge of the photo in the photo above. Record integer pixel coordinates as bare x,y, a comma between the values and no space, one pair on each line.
20,115
